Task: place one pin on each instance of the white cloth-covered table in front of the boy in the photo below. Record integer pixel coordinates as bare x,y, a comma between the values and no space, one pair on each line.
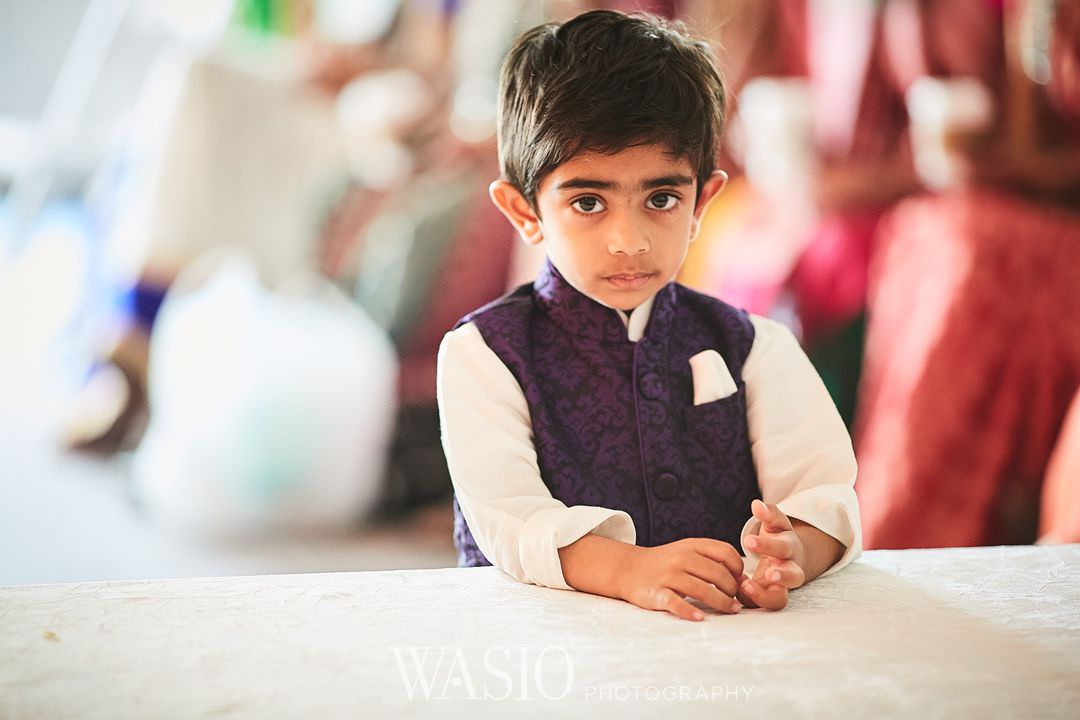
900,634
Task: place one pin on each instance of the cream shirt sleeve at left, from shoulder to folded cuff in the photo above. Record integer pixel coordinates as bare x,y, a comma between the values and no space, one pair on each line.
488,437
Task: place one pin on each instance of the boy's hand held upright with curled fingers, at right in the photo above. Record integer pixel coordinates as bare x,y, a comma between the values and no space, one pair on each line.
782,560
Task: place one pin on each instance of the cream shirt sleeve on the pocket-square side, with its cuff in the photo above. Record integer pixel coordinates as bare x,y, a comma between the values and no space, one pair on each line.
802,450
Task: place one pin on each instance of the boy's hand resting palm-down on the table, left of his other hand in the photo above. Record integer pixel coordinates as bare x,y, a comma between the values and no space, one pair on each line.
706,570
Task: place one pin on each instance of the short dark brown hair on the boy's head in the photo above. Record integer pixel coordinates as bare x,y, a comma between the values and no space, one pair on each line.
606,81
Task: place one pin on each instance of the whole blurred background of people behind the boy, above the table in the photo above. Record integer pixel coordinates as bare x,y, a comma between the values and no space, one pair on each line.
233,235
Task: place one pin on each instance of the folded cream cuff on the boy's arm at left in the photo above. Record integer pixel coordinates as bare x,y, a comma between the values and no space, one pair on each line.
547,531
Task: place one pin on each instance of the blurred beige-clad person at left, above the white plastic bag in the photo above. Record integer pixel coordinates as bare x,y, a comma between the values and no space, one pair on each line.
228,147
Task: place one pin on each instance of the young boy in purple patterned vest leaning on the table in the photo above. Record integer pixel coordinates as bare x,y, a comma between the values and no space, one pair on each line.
609,430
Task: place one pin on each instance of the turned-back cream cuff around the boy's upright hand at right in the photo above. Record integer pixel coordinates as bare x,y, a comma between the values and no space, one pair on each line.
832,509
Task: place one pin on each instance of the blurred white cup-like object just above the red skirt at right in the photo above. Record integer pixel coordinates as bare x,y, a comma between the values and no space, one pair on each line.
943,113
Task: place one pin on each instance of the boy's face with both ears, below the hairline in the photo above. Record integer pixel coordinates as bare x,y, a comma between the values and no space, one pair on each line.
616,226
